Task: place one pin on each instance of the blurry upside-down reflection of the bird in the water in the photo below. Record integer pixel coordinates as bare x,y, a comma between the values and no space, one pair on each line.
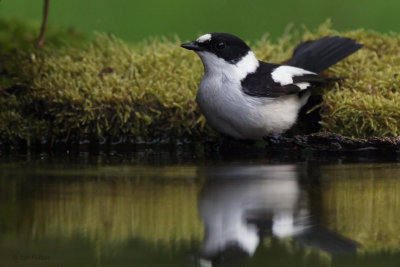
241,205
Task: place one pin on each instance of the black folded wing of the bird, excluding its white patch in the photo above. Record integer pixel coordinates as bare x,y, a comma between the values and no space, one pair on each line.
261,84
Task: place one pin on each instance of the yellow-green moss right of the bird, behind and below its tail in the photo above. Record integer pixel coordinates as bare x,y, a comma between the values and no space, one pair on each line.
366,104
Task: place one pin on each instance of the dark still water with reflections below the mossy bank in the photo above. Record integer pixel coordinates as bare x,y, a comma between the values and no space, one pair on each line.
121,211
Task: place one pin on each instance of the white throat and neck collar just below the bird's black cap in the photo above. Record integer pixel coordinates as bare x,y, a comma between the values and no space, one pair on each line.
214,65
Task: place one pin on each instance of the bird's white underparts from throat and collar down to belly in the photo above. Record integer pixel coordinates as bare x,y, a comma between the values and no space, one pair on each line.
234,113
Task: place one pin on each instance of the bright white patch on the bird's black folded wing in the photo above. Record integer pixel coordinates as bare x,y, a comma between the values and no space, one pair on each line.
284,75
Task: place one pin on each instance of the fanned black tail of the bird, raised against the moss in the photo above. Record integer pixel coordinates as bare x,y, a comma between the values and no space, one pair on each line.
318,55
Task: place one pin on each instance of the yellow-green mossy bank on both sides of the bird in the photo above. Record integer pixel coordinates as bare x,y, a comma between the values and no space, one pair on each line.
147,90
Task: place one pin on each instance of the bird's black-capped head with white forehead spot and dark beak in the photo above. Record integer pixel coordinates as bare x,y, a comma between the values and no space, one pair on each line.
219,50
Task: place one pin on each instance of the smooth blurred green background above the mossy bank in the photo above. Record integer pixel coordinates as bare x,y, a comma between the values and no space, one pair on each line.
137,20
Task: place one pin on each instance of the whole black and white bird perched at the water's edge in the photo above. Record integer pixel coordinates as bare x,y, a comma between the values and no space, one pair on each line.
246,98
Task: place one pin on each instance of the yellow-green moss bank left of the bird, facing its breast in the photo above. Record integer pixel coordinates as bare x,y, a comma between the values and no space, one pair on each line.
107,89
